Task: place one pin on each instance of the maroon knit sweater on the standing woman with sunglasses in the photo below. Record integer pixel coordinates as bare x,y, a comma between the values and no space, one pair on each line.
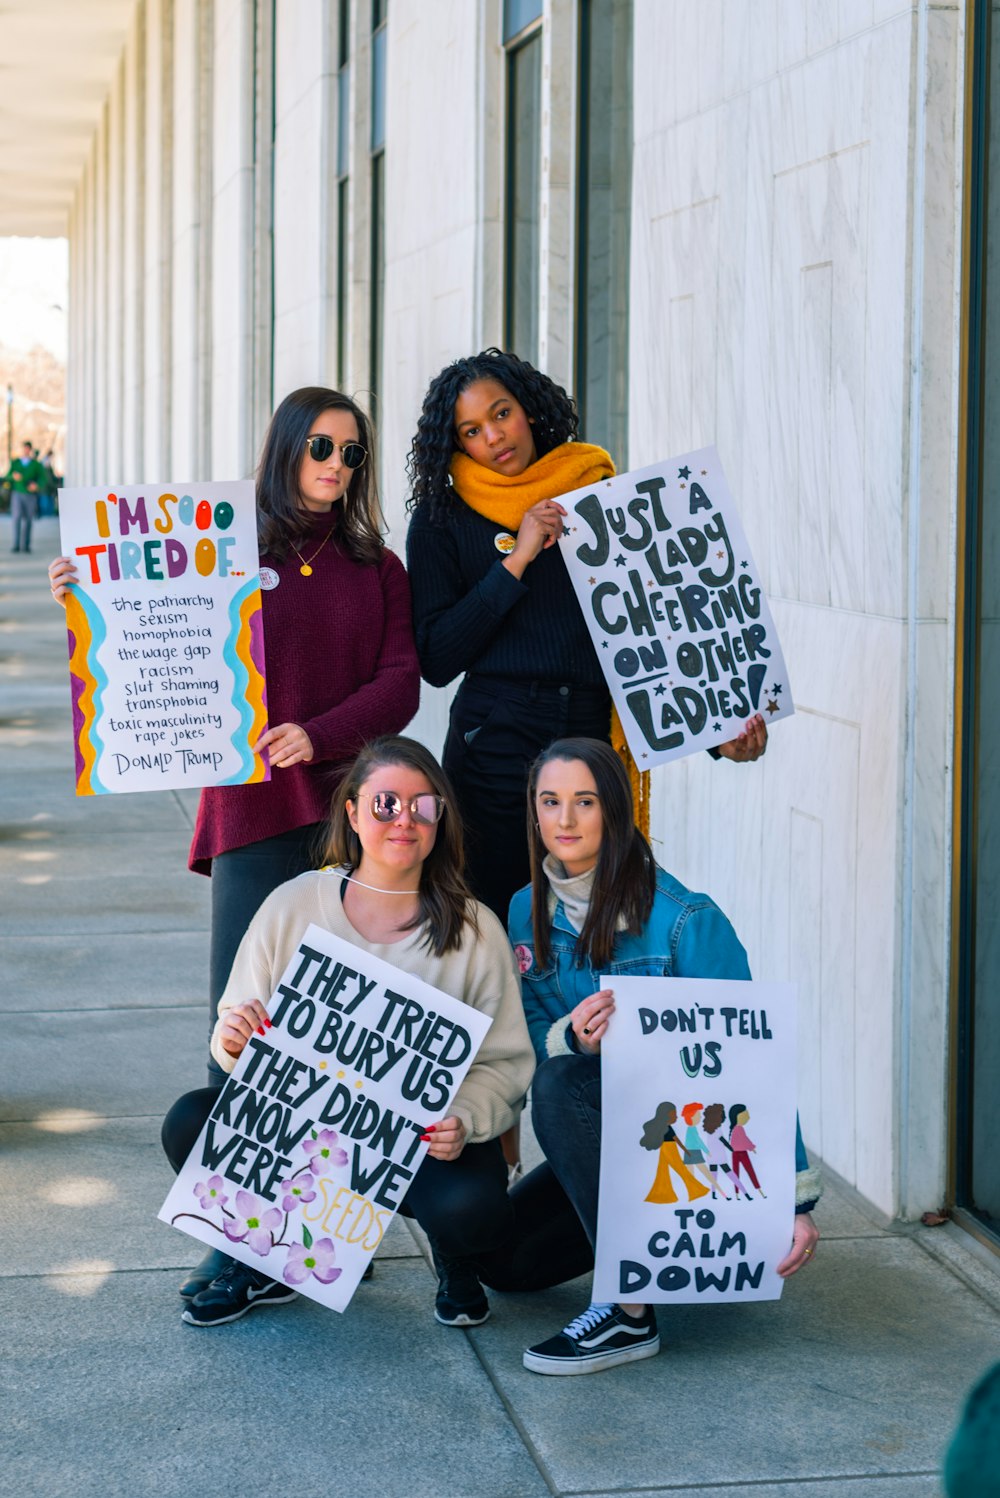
342,664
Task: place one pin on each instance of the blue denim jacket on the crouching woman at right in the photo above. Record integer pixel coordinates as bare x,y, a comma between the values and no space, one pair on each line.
686,937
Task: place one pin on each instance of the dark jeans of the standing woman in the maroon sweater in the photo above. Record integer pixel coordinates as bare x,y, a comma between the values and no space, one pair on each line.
242,882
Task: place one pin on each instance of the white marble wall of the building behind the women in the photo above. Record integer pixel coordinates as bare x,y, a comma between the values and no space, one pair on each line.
796,213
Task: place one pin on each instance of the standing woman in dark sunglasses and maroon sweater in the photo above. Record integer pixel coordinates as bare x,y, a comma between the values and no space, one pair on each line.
341,664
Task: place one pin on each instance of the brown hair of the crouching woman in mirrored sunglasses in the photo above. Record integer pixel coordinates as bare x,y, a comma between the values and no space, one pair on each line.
445,904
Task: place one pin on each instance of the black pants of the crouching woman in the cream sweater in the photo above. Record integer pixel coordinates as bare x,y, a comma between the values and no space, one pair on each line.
462,1205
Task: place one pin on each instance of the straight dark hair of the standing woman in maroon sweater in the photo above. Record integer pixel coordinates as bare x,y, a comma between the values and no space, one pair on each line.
282,521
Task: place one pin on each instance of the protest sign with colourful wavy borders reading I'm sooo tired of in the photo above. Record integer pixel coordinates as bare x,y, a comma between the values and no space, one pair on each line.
165,637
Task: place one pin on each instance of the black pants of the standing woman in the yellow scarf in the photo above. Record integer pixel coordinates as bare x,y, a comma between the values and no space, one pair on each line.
498,730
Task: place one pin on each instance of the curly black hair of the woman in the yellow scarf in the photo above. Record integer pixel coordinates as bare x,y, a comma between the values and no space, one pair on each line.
553,414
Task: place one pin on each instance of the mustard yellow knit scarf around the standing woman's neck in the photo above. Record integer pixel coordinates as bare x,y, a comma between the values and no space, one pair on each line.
507,500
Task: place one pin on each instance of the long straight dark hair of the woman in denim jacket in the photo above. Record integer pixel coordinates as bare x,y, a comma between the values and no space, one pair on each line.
625,879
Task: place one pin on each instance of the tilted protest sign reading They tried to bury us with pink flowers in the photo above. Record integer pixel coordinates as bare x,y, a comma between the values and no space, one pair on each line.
317,1133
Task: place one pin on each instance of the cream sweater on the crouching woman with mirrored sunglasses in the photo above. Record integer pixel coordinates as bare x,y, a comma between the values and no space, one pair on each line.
483,973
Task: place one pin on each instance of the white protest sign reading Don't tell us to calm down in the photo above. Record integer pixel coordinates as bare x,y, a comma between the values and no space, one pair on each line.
698,1141
